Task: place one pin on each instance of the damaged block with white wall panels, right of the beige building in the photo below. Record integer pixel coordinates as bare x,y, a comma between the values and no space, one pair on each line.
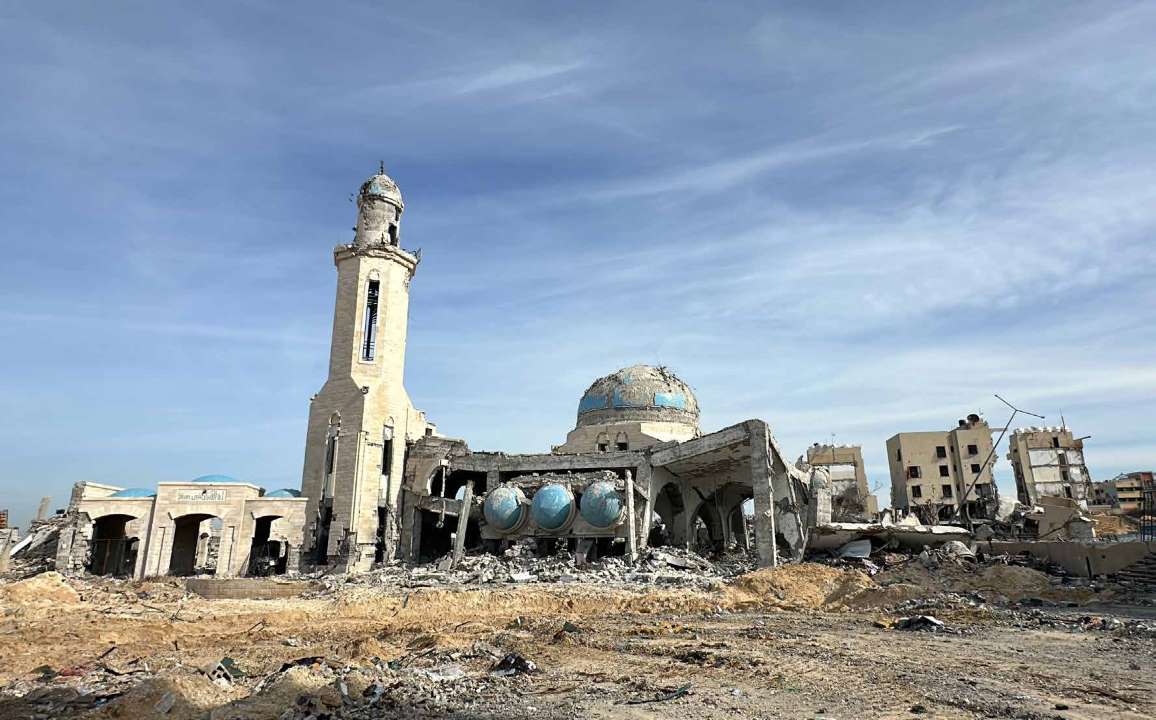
1049,462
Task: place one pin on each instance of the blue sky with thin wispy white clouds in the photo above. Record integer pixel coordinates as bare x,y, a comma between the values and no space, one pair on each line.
847,219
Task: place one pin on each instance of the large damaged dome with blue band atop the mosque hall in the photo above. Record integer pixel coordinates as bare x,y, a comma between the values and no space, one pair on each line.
639,394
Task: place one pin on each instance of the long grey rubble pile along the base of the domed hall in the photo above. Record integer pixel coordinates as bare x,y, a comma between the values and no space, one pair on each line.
663,567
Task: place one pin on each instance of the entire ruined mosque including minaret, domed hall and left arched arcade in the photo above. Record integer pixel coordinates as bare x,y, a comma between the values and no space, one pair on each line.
381,484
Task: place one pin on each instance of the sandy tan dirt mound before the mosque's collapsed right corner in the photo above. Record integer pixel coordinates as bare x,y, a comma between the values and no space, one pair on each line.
804,587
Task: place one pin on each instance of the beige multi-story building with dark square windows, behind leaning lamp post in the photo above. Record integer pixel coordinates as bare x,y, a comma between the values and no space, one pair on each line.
944,474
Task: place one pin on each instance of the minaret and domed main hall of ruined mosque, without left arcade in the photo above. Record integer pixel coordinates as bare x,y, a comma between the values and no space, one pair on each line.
636,469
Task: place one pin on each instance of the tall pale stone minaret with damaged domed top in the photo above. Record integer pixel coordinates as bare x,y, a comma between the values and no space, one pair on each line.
362,419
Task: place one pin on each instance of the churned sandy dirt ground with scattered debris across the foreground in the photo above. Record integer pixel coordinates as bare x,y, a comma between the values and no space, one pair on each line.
801,642
